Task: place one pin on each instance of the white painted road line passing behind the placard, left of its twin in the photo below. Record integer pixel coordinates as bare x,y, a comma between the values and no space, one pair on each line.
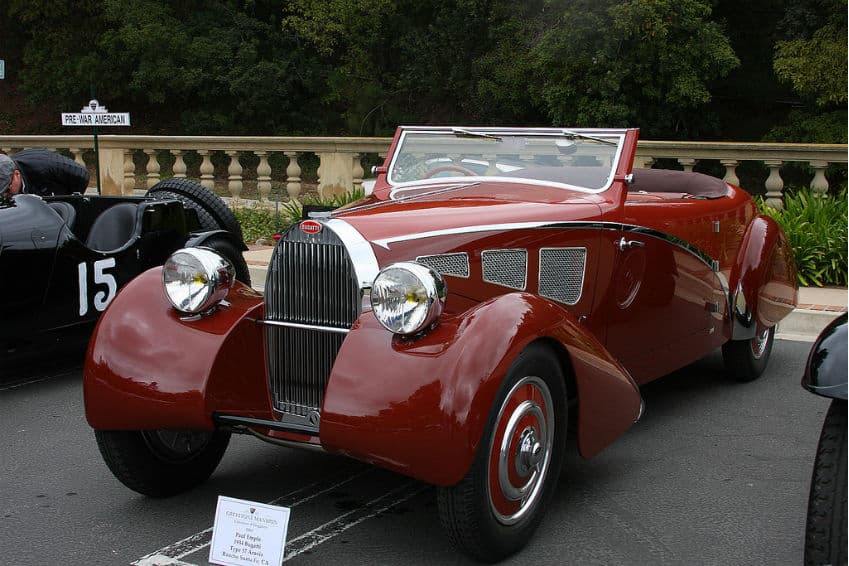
173,553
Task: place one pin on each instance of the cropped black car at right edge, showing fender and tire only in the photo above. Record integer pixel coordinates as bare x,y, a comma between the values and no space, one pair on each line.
826,375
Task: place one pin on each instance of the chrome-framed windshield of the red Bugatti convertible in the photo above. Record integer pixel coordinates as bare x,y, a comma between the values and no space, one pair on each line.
575,159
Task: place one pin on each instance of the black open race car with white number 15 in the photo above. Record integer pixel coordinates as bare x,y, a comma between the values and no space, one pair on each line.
63,258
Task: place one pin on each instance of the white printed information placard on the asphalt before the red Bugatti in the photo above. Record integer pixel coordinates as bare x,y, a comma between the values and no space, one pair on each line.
248,534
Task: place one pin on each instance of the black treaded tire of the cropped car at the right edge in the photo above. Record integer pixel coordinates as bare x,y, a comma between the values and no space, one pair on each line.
825,535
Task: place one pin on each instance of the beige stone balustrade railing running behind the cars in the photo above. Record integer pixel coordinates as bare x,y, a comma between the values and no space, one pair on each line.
340,160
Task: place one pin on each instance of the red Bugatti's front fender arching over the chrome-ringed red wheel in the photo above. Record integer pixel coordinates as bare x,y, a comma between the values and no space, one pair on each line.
420,406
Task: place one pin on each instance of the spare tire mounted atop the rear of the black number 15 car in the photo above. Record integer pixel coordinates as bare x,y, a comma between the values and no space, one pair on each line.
213,213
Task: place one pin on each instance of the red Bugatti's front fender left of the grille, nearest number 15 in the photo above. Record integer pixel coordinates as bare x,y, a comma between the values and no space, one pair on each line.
147,369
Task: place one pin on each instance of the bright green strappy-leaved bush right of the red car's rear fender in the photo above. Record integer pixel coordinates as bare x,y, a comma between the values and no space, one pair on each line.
816,227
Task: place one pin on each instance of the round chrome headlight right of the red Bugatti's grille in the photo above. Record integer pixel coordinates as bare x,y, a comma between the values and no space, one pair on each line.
407,297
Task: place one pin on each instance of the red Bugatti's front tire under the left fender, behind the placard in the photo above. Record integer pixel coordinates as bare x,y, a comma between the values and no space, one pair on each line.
162,463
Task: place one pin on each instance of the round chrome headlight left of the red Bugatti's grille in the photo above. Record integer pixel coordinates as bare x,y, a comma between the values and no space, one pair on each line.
196,279
